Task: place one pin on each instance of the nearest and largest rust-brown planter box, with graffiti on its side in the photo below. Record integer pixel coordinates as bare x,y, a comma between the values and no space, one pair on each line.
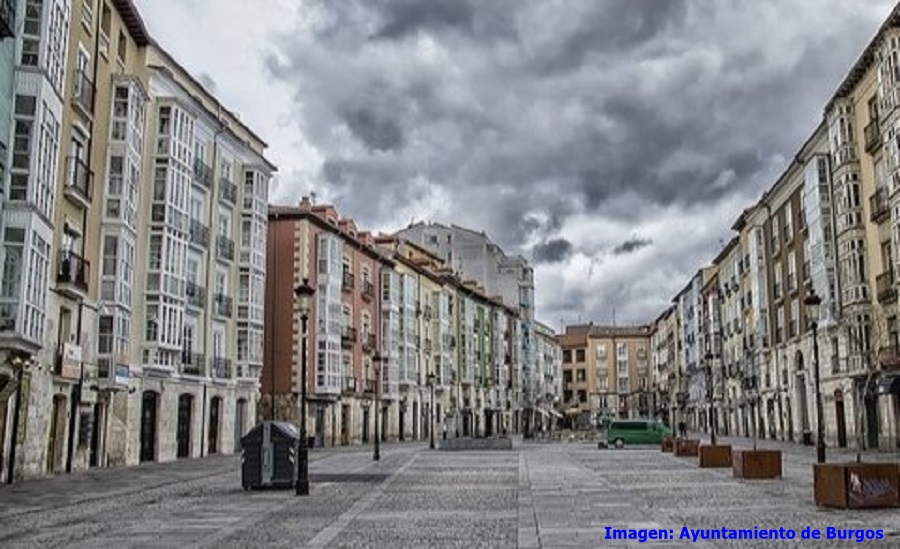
855,485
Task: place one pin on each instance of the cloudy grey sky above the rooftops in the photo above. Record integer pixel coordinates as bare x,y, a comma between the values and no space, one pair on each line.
612,143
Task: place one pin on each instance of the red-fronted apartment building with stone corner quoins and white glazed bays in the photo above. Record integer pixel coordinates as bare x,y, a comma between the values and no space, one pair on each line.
351,333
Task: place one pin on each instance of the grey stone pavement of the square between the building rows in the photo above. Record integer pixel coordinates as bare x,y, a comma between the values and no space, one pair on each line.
552,494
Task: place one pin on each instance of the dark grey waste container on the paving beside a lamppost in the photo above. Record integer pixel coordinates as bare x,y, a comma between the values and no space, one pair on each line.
269,454
